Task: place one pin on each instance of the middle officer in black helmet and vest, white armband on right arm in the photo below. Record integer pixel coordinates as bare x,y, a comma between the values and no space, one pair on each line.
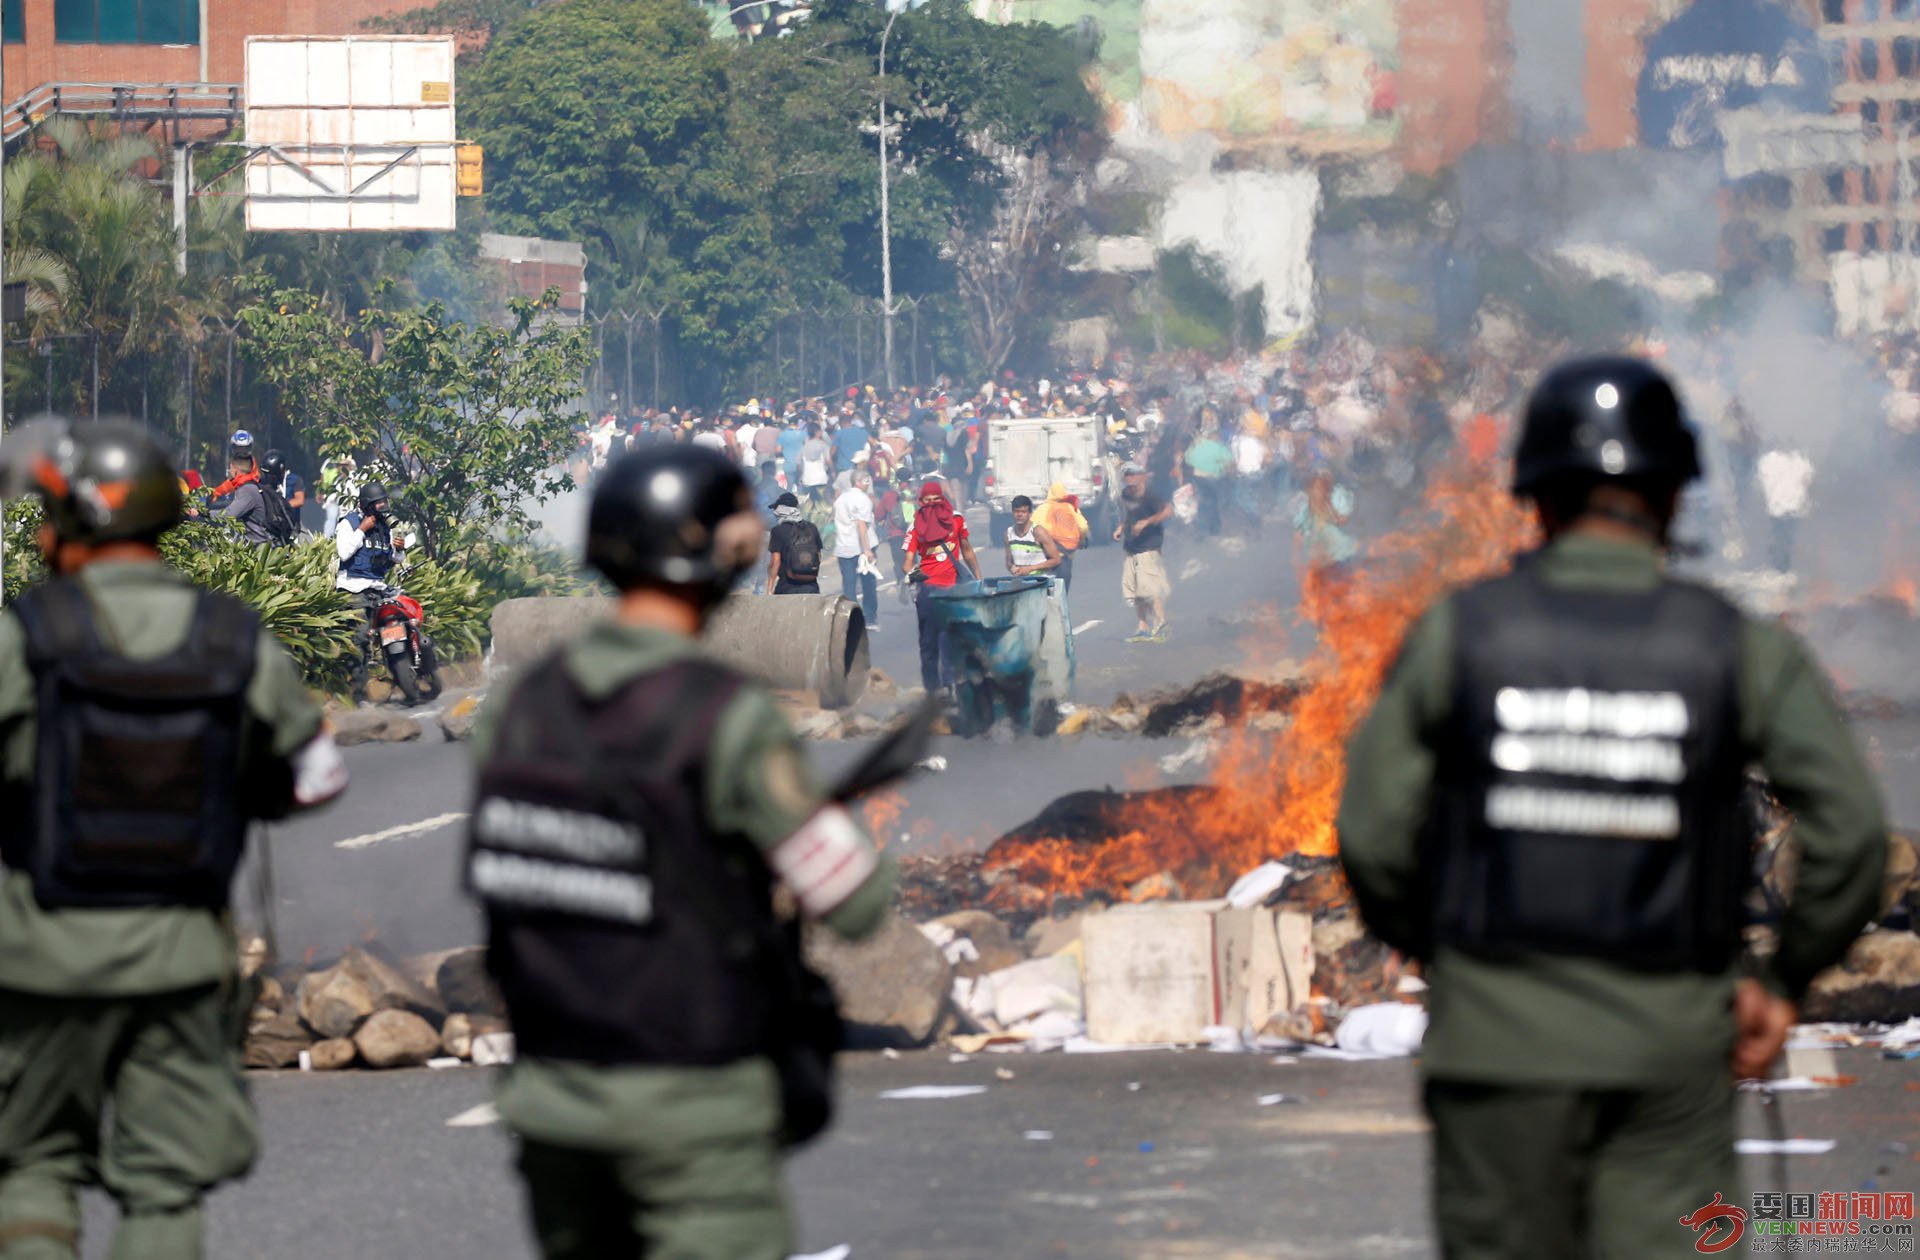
636,808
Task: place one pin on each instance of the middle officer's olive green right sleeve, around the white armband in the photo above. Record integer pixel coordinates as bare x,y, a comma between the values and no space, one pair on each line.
763,788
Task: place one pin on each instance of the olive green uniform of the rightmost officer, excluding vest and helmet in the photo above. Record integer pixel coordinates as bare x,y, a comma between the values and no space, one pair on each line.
1572,1098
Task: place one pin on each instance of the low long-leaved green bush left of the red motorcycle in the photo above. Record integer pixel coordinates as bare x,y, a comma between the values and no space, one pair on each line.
293,591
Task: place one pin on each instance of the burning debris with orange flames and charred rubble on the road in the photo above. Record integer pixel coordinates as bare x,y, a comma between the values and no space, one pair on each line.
1280,765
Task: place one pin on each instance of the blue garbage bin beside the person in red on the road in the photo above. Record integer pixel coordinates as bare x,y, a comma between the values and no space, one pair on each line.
1007,646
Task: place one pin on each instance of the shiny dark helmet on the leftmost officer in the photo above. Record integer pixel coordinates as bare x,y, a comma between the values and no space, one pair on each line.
101,481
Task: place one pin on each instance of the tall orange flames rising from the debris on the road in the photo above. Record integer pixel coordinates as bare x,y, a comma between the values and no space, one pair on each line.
1280,794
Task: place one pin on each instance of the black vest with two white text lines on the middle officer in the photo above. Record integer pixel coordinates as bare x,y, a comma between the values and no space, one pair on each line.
604,886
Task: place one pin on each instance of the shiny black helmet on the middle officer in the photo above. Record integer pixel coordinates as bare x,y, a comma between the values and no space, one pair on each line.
658,514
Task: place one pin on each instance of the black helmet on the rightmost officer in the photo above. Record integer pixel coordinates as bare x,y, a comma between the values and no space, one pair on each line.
1606,418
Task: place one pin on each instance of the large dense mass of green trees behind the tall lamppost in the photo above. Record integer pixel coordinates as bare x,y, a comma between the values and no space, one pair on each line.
731,183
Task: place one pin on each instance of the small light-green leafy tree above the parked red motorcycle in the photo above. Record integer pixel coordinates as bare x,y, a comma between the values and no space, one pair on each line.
468,424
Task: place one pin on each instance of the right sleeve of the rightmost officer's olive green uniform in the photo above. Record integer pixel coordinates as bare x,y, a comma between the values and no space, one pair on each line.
1802,740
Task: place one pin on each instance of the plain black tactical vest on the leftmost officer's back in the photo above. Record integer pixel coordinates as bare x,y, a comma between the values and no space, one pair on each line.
137,796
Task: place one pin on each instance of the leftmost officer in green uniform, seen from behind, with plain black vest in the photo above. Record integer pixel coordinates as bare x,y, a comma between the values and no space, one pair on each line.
143,725
